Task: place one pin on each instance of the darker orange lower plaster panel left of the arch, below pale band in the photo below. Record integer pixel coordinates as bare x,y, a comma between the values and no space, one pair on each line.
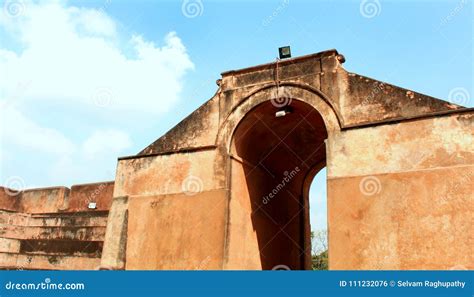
178,231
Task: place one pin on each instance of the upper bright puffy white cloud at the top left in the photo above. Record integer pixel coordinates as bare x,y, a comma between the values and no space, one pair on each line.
74,53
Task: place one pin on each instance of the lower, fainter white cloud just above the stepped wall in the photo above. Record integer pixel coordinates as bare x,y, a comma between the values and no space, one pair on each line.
74,162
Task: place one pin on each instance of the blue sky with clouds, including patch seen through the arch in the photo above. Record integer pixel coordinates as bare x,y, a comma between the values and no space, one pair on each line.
82,82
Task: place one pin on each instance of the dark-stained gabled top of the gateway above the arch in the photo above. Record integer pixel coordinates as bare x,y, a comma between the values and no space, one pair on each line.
355,99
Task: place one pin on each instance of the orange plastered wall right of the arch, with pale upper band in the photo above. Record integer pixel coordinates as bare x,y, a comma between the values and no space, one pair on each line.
400,195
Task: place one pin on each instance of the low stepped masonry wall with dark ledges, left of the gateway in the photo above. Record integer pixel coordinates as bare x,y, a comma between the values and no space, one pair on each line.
53,228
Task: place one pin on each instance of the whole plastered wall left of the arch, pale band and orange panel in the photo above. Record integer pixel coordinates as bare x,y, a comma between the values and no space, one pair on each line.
175,212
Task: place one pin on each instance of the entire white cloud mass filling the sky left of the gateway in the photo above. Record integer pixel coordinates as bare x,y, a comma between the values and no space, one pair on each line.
78,57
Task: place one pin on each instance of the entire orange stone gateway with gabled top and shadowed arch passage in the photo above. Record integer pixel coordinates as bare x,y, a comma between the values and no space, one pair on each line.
399,170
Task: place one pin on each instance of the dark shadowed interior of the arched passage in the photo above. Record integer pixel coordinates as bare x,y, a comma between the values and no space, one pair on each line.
279,157
